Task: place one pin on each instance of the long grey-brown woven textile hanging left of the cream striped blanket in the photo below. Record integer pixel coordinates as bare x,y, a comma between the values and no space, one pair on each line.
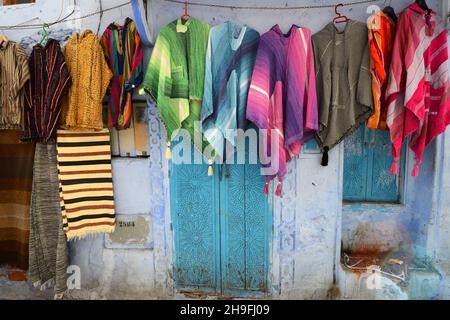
48,243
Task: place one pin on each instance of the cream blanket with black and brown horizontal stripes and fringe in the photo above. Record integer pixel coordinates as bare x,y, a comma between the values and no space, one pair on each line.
85,175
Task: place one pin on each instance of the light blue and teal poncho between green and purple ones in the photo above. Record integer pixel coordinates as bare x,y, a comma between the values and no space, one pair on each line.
230,59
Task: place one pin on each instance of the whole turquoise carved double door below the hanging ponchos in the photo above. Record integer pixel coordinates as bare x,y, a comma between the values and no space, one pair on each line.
221,226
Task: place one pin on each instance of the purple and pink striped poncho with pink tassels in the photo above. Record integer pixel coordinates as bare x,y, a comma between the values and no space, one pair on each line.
282,97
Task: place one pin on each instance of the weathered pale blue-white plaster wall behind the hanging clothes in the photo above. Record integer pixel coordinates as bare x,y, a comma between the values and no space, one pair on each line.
307,220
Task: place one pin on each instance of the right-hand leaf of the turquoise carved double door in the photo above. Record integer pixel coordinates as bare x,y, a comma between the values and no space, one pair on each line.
245,230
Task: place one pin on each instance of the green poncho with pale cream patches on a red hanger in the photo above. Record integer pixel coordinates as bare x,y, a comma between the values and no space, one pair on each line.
176,72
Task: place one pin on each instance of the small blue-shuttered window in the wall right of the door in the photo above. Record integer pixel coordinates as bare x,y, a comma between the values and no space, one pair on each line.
367,161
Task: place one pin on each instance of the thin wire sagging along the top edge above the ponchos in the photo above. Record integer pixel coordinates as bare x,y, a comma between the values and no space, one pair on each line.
346,4
